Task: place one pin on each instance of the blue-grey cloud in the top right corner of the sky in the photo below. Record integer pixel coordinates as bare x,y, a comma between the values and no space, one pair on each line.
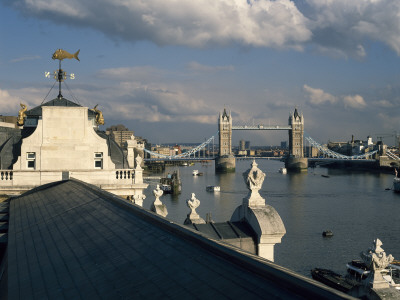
343,26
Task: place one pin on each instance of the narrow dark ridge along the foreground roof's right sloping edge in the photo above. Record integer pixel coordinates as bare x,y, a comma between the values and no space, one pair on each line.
297,283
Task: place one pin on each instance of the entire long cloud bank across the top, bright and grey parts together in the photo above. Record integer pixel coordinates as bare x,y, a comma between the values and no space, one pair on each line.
341,28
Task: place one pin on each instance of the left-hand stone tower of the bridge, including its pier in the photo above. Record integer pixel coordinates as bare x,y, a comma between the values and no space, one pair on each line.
225,162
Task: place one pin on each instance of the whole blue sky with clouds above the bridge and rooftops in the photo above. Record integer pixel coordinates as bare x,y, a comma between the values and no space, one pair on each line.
166,68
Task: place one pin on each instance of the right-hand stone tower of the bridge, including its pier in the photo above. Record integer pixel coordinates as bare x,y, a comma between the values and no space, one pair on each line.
296,159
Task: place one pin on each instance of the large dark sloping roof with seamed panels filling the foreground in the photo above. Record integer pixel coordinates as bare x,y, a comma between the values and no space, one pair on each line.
71,240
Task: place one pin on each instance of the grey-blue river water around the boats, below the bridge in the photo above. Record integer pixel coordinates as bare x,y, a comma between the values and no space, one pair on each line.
355,205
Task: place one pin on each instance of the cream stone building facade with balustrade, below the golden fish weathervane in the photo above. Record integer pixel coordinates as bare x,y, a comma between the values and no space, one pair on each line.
60,140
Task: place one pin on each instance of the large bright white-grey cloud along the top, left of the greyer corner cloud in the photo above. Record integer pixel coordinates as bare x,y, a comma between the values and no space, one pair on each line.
195,23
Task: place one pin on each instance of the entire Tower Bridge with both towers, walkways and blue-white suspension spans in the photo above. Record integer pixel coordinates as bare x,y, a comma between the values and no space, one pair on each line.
226,161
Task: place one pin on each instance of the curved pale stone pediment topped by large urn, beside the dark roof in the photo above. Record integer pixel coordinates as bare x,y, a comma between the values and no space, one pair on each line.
262,218
